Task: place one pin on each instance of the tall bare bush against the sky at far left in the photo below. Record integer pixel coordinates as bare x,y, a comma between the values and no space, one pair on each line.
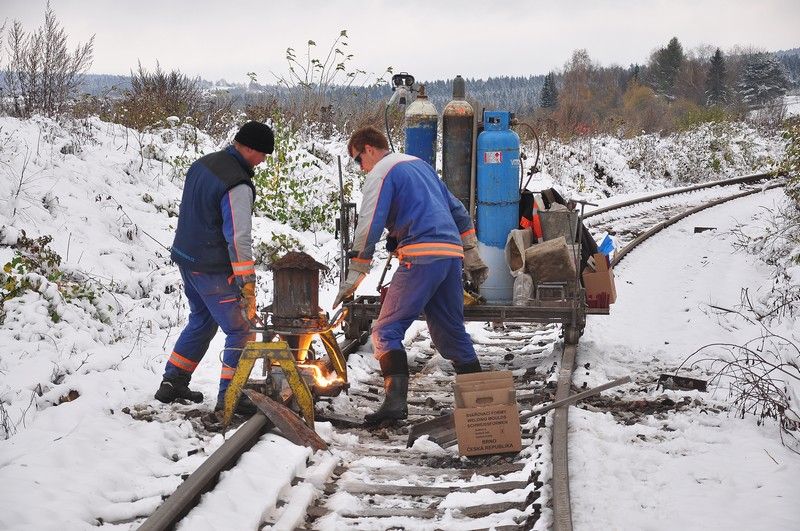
42,73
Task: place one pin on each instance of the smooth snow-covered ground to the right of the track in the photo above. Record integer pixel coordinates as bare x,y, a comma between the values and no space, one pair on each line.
694,469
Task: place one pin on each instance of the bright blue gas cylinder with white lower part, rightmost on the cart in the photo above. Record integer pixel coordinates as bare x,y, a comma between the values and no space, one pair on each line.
497,198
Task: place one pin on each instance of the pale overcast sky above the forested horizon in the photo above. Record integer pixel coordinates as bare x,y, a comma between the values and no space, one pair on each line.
434,39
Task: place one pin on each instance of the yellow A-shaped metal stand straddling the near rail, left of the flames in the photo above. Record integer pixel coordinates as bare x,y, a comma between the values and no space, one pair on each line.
279,353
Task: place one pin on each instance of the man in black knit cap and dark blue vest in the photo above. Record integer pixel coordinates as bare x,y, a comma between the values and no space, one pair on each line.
214,254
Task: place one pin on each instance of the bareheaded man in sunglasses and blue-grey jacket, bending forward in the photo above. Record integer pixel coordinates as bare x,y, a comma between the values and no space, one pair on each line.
435,243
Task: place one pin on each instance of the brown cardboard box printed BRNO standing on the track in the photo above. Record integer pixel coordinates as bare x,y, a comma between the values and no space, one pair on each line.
486,415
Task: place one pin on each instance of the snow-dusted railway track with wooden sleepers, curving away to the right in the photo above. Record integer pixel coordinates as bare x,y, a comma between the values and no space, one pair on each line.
370,480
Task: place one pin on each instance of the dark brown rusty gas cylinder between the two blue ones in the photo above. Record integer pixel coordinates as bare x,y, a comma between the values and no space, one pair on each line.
457,127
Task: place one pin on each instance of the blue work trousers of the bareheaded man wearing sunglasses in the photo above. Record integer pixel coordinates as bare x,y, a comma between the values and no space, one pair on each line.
436,289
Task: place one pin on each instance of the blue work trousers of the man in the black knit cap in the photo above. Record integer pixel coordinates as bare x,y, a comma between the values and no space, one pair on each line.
213,304
